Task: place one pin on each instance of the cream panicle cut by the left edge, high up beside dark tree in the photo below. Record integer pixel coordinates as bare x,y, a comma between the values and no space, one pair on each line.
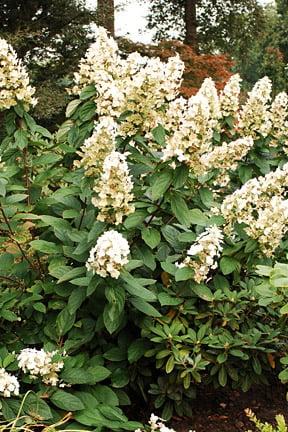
14,81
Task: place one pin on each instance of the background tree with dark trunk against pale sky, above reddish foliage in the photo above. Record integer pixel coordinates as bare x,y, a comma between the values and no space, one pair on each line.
208,25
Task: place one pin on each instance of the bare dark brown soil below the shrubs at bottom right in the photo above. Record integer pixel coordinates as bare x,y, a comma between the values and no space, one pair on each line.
222,410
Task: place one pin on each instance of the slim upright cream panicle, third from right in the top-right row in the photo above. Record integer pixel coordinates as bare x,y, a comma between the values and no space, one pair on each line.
229,97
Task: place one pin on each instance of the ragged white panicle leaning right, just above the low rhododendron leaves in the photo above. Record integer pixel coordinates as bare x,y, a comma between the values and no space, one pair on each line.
203,253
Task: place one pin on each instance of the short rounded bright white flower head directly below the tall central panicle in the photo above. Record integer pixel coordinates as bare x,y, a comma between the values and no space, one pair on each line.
109,255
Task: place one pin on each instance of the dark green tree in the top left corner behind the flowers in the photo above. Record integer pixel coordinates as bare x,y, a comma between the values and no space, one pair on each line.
50,36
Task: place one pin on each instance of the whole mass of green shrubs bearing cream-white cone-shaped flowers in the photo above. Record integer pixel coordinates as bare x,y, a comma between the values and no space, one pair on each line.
131,239
